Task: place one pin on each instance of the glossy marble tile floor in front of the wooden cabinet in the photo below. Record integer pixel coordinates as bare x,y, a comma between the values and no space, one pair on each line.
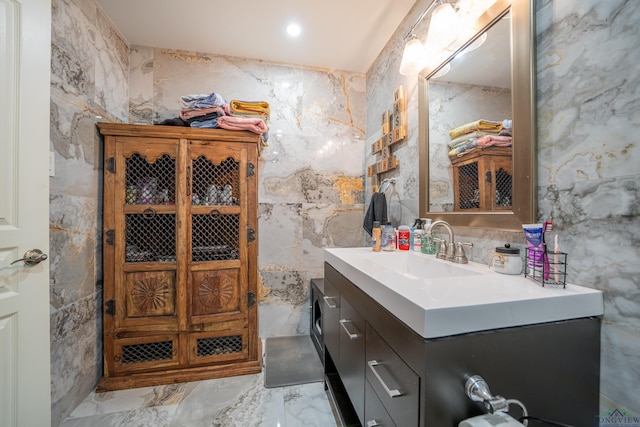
226,402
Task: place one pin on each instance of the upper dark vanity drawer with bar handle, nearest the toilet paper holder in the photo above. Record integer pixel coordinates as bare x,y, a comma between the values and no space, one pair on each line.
395,384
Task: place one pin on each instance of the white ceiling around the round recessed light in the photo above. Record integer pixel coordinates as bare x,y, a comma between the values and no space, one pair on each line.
336,34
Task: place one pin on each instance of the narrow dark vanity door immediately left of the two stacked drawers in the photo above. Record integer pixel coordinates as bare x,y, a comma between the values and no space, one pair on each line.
352,353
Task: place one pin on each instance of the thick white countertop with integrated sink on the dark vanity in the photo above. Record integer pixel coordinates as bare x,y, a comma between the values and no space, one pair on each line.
438,298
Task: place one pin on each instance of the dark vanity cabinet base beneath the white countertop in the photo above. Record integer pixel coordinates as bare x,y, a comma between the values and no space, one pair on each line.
379,372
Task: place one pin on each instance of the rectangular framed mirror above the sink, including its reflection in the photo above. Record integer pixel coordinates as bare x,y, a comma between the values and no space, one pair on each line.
471,177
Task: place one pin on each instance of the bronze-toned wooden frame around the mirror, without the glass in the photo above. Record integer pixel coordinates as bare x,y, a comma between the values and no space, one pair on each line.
523,98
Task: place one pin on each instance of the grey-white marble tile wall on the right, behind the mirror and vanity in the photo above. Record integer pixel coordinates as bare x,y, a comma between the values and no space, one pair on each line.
588,112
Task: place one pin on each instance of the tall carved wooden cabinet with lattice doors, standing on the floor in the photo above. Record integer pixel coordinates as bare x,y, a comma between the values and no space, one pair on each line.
180,255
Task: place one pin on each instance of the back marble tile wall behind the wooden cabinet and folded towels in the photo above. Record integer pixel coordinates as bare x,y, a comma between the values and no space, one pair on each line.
310,175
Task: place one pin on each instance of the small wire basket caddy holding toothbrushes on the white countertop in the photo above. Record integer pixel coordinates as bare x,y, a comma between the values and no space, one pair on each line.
546,268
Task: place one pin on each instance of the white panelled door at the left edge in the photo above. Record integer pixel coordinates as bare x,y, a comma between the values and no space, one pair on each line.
25,45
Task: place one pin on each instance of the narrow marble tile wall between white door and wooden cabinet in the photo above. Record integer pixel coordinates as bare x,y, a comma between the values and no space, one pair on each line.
89,71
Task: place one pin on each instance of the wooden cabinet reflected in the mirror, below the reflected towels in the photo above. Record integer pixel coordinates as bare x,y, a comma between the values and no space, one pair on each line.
482,180
